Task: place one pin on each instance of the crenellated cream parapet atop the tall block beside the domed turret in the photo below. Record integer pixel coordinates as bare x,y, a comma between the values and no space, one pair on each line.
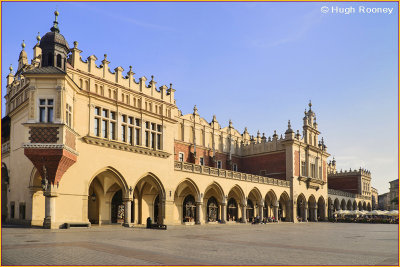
100,79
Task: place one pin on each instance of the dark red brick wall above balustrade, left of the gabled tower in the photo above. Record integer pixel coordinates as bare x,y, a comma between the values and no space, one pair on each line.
274,164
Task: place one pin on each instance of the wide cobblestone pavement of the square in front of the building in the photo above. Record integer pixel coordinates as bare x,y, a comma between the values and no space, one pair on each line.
271,244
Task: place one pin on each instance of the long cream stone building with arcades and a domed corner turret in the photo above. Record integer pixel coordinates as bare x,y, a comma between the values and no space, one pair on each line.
82,143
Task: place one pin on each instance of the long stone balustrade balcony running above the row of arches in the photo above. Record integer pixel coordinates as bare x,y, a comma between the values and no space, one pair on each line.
204,170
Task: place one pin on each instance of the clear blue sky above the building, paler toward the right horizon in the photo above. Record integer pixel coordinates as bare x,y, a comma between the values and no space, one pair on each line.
255,63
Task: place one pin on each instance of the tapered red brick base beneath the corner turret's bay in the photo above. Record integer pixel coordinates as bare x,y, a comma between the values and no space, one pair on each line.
57,161
